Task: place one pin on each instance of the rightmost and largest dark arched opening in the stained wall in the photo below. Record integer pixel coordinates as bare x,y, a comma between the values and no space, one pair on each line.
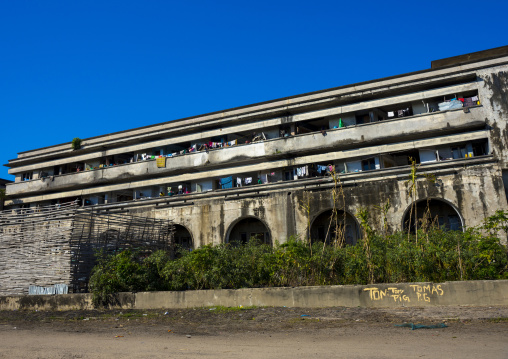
432,212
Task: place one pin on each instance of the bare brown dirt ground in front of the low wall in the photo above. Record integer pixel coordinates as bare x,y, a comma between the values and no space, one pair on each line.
471,332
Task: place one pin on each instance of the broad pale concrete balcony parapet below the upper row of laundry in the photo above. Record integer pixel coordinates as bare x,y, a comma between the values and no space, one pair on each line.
392,131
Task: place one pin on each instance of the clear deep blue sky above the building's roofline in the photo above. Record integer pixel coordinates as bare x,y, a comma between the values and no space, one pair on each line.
80,69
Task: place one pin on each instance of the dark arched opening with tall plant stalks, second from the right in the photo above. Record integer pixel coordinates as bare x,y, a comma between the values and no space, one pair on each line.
341,228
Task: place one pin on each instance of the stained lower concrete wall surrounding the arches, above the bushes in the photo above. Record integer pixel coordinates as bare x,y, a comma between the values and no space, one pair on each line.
464,187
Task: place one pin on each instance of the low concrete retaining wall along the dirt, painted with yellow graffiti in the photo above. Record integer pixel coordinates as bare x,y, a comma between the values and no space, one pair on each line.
472,293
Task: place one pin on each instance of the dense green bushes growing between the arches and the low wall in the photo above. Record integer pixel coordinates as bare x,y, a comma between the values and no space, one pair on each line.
438,255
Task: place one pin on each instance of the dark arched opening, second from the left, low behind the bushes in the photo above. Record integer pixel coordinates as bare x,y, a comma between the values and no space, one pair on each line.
247,229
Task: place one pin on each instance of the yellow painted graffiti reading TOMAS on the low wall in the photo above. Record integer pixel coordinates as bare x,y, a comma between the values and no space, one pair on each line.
416,292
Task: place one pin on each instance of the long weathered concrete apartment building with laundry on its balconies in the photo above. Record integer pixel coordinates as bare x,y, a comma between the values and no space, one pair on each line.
264,170
